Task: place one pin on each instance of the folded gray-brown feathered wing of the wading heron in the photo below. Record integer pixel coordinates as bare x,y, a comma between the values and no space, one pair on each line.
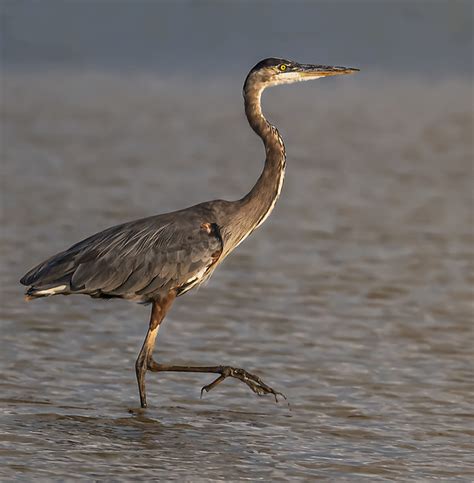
137,260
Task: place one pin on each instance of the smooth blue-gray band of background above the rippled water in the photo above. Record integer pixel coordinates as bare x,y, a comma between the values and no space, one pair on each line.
209,37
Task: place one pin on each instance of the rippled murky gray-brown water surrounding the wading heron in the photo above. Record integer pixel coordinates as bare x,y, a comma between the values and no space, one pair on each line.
355,298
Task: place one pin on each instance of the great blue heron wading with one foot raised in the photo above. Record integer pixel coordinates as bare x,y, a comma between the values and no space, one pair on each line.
156,259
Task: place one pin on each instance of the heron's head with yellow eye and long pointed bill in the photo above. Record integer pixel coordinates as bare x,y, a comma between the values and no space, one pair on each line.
272,72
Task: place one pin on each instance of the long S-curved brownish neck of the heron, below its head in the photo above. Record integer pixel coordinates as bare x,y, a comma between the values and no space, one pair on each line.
260,201
